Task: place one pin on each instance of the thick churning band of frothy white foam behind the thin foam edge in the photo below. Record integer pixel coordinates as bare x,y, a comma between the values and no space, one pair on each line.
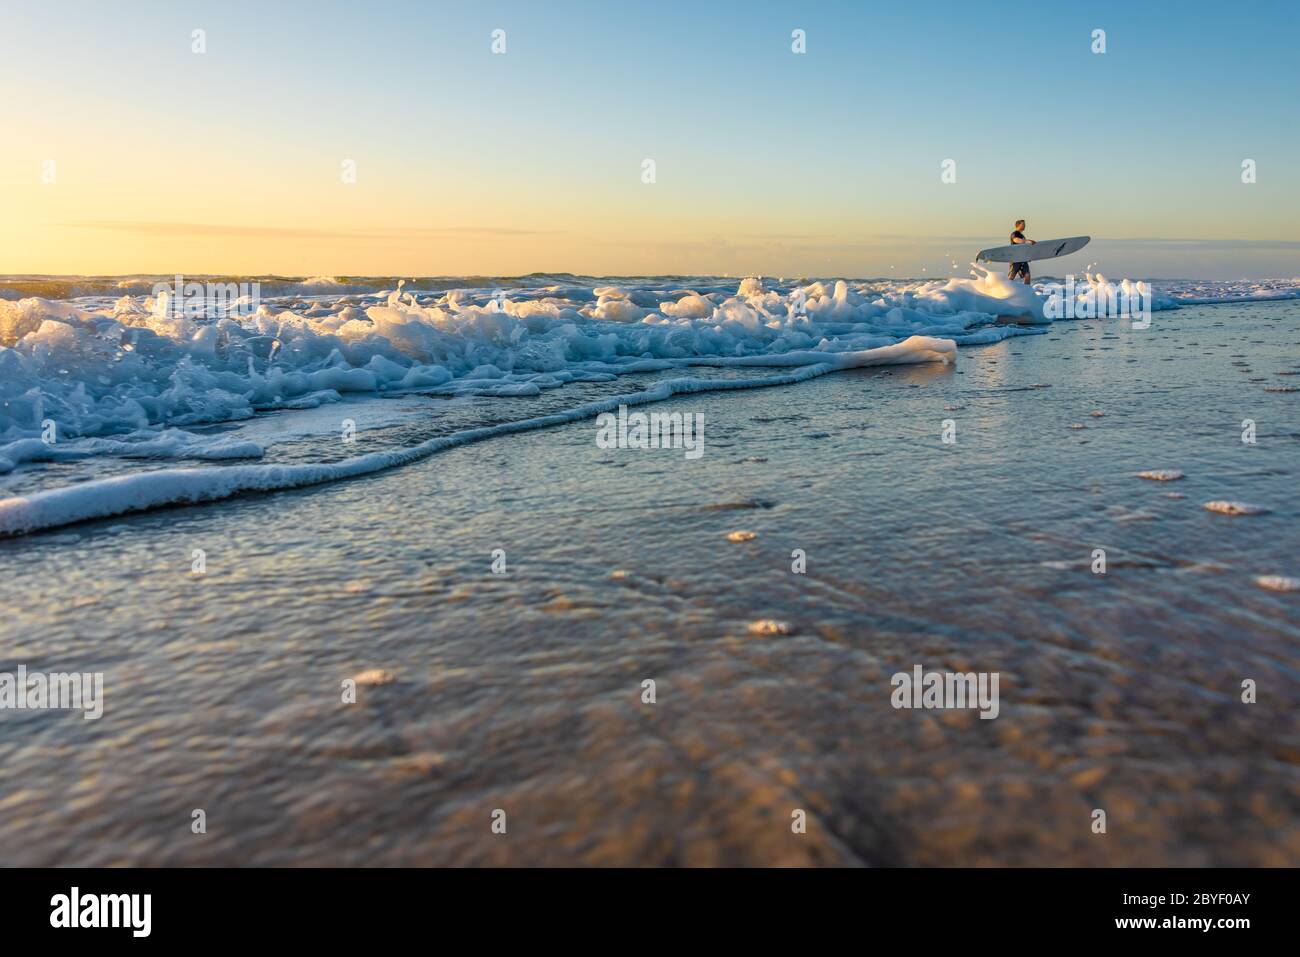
114,366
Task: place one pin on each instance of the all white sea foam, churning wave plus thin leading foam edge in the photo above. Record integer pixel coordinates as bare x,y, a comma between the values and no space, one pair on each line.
111,375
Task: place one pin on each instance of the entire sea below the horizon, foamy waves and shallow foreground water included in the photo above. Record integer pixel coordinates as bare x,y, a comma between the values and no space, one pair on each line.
245,517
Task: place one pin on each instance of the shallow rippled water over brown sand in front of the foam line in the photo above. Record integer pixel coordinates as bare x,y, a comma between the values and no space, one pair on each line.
523,691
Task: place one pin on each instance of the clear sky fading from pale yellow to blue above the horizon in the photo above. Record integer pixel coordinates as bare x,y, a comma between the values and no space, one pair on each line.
125,151
